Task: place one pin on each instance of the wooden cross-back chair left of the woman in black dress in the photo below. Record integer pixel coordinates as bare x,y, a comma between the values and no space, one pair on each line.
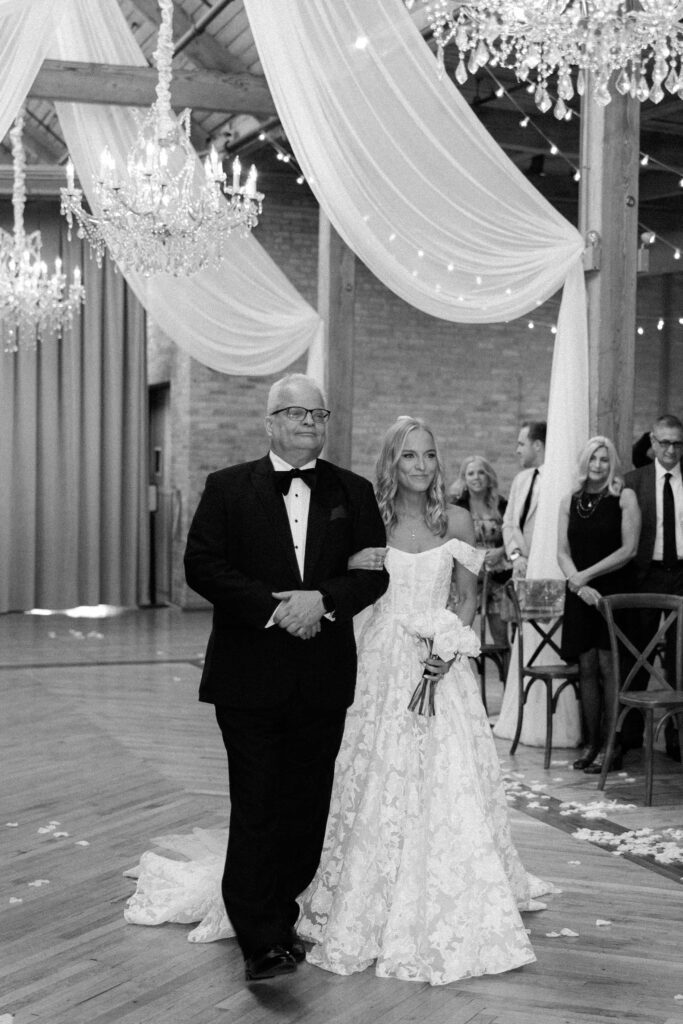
540,604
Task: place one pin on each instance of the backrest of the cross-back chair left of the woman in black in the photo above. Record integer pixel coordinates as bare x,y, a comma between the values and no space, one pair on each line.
541,605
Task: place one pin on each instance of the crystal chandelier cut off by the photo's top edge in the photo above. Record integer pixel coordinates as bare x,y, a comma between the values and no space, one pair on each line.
635,47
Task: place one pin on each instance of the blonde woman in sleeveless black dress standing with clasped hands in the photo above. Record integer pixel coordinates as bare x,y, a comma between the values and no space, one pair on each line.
599,534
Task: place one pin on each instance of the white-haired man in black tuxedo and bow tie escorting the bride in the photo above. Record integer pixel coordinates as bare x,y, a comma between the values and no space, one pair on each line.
269,547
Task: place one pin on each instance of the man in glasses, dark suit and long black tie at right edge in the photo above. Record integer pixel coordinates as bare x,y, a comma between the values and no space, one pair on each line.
659,561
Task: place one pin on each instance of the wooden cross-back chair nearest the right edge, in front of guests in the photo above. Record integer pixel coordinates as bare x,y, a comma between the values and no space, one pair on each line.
628,661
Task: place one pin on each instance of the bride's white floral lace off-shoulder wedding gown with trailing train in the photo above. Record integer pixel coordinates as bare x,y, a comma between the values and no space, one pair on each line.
419,872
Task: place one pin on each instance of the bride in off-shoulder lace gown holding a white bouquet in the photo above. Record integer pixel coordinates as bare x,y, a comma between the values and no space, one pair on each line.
419,873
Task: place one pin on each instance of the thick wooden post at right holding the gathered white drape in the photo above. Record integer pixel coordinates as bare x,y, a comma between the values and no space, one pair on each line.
609,205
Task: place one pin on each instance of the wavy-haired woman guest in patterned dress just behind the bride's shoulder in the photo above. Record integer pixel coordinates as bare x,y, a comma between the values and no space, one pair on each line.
477,491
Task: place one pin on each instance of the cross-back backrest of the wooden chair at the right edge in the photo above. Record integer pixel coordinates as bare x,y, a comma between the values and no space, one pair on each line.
671,608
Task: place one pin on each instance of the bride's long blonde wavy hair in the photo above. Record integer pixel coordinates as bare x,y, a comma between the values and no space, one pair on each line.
387,488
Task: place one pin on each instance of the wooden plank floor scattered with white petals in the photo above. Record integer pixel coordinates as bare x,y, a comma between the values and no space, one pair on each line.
105,746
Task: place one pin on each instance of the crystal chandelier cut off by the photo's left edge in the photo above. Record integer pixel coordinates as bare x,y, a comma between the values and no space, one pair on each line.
33,304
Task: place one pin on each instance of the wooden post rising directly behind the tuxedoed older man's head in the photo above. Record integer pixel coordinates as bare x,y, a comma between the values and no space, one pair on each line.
336,297
